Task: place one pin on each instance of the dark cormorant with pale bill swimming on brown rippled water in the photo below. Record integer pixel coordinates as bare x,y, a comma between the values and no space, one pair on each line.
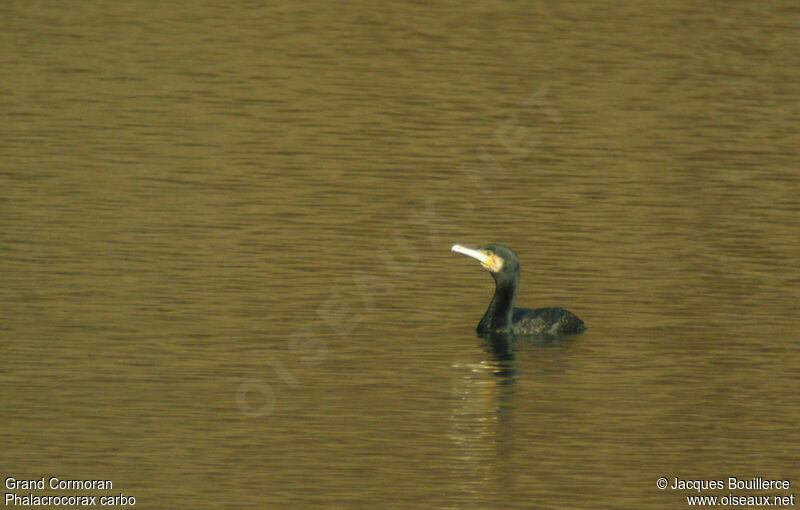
501,316
